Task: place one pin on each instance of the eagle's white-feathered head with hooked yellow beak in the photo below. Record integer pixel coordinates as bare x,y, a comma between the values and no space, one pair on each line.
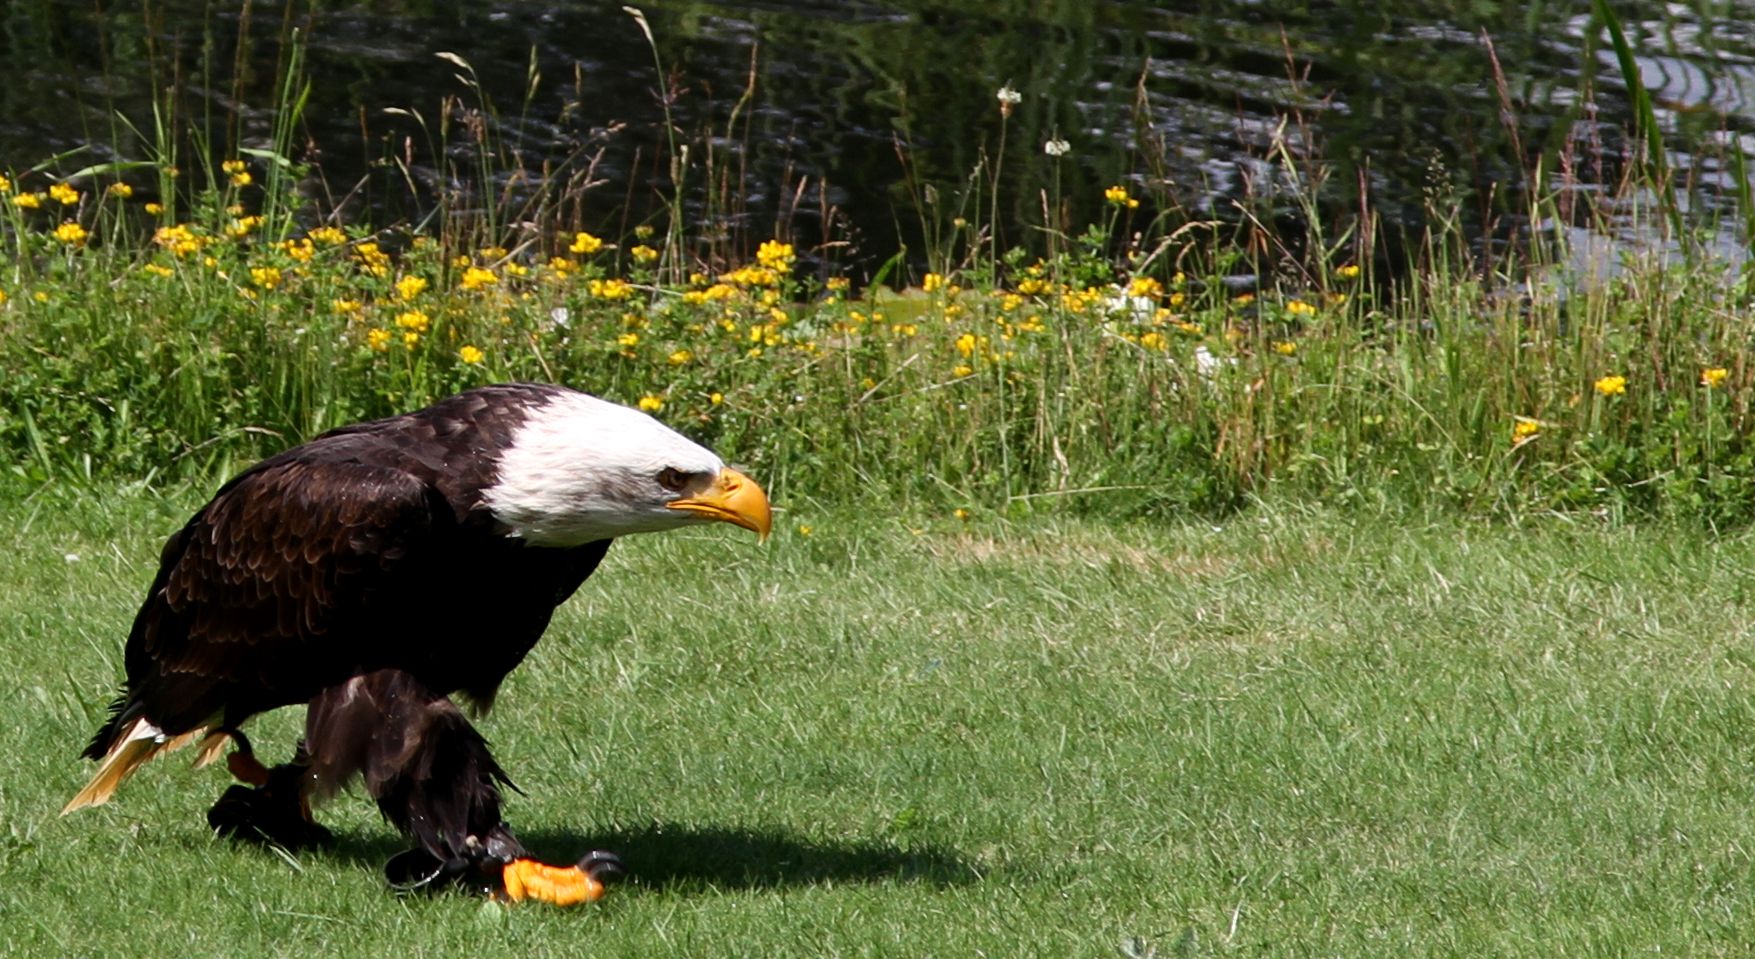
582,470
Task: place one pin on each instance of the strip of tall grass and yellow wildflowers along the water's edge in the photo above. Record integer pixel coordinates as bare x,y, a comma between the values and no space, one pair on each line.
187,312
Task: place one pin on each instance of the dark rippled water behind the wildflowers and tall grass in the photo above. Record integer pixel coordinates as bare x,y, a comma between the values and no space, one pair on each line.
1398,101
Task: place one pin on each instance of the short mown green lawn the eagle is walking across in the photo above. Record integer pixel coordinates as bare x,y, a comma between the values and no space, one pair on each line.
1286,735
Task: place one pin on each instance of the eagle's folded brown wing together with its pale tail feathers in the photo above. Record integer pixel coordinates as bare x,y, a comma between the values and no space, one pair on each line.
266,598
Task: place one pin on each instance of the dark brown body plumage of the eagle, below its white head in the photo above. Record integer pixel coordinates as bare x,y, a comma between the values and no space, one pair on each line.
359,573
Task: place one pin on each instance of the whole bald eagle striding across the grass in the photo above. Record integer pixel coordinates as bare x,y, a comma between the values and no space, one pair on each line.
334,575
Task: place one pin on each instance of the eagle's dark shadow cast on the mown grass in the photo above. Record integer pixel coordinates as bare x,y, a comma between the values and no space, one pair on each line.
720,858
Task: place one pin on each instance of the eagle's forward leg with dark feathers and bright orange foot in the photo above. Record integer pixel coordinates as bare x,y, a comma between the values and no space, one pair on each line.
434,781
